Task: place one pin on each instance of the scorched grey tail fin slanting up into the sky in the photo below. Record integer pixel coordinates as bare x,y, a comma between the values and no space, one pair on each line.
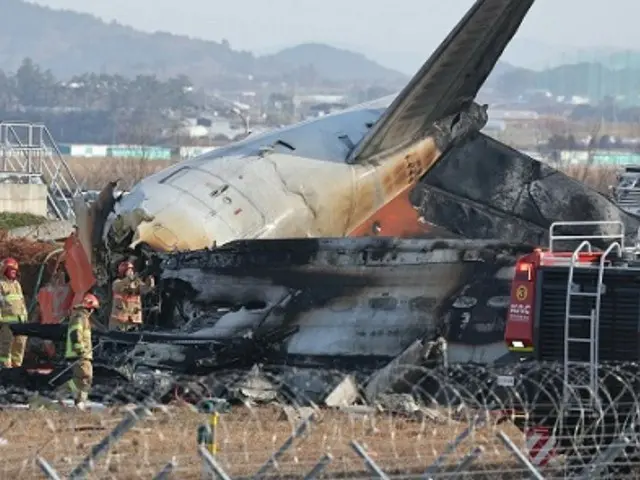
449,81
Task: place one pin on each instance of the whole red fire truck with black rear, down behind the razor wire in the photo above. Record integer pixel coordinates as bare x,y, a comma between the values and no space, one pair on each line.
574,318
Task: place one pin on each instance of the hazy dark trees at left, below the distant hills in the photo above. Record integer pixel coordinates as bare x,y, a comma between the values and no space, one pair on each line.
96,107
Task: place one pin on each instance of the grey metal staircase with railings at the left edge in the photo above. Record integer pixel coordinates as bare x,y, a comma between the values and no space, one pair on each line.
29,152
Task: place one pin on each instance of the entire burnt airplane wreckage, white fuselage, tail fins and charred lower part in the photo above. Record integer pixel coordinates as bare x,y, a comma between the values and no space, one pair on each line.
413,165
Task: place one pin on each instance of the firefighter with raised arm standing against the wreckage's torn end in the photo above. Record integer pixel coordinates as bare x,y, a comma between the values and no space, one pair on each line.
126,310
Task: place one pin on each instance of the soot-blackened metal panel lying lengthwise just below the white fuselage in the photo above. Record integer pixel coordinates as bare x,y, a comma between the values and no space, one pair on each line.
344,297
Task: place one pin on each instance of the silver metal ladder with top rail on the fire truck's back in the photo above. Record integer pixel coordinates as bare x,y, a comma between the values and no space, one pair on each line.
573,320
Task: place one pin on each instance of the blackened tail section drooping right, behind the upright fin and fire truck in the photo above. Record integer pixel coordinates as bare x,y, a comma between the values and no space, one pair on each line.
484,189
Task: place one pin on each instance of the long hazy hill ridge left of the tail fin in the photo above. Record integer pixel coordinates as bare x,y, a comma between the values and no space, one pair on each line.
72,43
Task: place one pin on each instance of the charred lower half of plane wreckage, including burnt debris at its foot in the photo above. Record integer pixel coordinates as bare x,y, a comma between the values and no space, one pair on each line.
335,305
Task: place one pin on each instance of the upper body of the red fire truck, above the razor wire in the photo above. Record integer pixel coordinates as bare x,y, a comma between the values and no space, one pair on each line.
578,306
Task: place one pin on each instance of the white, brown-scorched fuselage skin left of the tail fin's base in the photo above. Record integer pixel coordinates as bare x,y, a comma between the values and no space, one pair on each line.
260,188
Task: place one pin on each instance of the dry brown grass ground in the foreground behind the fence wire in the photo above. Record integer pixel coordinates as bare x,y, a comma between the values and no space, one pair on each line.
246,437
